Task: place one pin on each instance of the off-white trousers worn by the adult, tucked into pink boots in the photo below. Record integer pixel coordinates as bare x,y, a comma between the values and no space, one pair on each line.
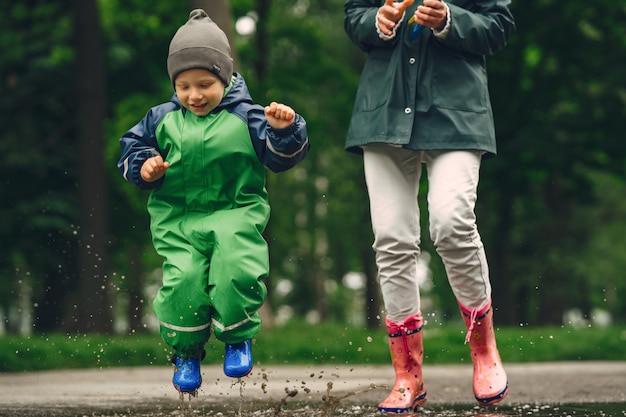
393,175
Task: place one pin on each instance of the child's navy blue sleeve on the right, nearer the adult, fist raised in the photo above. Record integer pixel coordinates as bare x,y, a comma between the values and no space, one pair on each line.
278,149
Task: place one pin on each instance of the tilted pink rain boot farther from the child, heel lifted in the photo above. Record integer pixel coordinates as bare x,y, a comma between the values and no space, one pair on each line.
490,381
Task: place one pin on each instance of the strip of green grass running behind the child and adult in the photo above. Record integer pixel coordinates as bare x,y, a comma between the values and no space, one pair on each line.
298,343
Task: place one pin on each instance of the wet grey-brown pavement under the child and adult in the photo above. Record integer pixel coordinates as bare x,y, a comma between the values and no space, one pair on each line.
148,390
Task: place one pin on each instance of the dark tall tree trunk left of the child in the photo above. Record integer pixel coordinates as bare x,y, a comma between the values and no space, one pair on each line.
93,309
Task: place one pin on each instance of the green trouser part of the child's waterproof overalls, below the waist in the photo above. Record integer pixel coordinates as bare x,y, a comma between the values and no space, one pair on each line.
212,274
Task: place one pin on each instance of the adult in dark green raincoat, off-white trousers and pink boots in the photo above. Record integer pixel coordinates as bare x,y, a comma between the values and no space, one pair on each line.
423,99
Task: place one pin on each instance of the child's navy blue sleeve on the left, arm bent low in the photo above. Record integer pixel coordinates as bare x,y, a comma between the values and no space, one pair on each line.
139,144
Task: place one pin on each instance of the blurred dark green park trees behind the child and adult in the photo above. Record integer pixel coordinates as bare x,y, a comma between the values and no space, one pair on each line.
76,254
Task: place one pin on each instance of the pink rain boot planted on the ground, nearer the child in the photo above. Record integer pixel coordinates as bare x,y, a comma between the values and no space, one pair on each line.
407,351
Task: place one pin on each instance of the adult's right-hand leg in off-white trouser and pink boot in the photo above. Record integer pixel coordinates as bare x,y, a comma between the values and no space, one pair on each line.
453,180
